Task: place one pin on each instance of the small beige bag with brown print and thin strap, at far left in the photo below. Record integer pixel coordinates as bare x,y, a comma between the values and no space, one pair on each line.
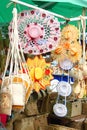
5,95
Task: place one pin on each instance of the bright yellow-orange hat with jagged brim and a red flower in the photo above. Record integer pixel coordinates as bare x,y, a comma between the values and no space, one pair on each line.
40,72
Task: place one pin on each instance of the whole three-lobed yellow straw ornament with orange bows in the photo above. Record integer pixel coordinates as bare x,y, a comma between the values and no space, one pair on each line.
68,47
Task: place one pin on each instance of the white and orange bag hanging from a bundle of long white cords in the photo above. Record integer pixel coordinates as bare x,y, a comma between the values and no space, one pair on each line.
20,86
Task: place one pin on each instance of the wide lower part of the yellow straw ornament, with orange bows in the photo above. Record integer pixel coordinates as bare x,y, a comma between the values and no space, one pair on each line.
68,50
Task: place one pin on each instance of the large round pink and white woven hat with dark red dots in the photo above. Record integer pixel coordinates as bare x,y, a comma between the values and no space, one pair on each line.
38,32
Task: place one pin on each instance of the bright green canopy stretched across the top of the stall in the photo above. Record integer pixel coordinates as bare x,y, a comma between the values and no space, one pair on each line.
67,8
